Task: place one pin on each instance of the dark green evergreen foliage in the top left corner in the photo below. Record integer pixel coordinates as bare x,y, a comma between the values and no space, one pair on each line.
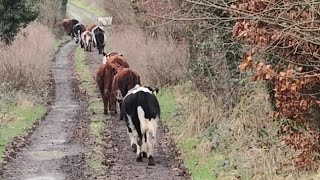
14,15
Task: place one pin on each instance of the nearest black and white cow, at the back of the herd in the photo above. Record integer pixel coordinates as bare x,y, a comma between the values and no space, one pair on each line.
141,111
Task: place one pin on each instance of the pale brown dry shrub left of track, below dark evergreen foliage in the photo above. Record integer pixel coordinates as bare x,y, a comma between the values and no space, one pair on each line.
26,63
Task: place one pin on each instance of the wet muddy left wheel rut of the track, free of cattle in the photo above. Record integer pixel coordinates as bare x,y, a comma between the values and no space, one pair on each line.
52,151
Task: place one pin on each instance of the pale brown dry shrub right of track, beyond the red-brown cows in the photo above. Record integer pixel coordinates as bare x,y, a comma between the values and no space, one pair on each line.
158,61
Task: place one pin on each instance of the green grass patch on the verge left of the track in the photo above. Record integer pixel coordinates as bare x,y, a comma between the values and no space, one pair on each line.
20,116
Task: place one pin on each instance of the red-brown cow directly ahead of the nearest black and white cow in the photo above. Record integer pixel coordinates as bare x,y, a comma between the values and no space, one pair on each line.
123,81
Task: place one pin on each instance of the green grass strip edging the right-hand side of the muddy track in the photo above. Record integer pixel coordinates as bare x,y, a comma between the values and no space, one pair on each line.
198,162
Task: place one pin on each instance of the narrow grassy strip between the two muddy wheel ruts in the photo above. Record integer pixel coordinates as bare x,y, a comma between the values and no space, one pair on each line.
97,121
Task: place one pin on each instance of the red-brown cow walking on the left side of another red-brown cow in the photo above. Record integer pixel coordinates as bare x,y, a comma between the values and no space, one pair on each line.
104,78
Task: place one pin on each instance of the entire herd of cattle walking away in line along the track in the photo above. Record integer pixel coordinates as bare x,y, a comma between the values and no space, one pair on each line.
117,82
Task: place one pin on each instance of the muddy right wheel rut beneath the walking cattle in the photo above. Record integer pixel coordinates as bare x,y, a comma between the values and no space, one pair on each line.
120,159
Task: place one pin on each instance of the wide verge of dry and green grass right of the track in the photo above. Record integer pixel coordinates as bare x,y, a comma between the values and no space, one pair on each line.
242,145
